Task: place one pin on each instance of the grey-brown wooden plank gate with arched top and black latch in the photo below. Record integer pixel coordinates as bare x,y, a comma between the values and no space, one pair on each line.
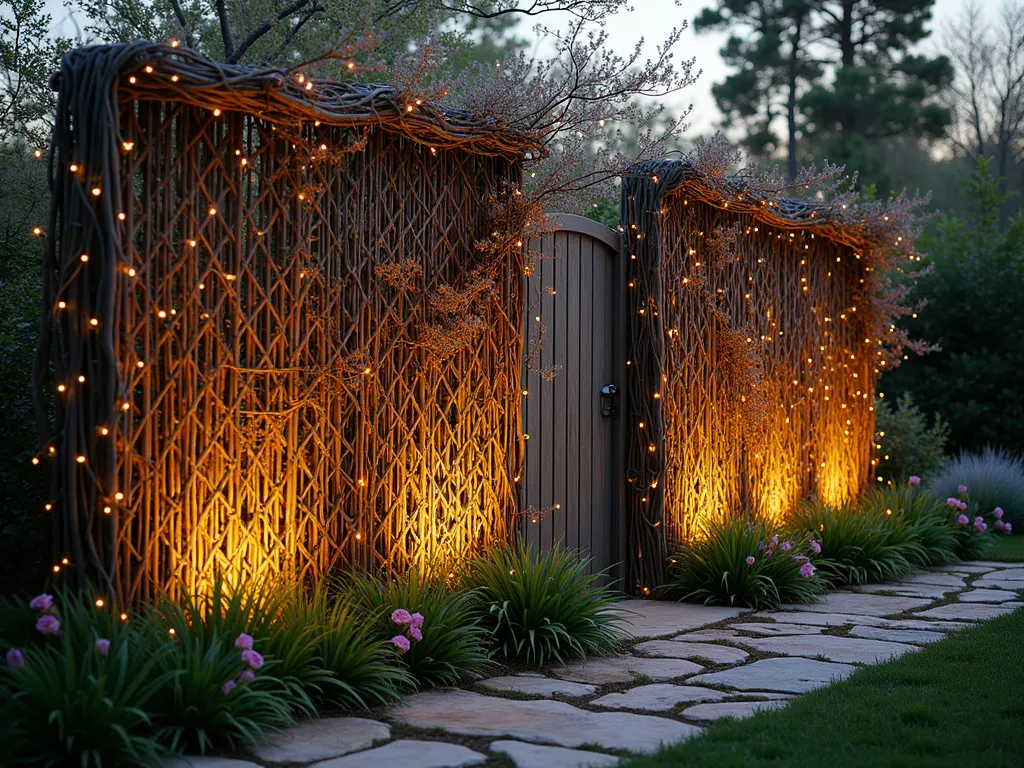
574,474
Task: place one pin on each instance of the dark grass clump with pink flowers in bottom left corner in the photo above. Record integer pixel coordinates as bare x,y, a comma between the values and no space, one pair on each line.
80,692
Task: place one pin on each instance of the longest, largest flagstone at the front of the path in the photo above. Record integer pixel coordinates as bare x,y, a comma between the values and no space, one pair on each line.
553,722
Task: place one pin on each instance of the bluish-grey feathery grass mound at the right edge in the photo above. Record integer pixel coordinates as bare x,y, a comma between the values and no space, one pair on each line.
996,479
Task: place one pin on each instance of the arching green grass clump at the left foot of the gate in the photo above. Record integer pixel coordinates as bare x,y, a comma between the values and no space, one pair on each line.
543,607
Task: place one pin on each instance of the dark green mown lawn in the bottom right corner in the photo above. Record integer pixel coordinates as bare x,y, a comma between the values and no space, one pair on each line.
958,703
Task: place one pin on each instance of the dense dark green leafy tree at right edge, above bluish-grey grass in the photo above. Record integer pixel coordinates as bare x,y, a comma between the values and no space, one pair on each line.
974,381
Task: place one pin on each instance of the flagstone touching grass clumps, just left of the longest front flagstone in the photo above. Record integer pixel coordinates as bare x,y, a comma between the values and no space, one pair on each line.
317,740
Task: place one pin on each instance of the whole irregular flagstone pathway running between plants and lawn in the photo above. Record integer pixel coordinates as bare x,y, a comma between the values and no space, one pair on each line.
689,665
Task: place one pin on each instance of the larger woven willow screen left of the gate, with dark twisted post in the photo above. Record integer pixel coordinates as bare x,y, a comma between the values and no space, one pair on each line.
244,278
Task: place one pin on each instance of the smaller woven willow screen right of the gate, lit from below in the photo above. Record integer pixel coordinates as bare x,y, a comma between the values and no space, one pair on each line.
752,373
